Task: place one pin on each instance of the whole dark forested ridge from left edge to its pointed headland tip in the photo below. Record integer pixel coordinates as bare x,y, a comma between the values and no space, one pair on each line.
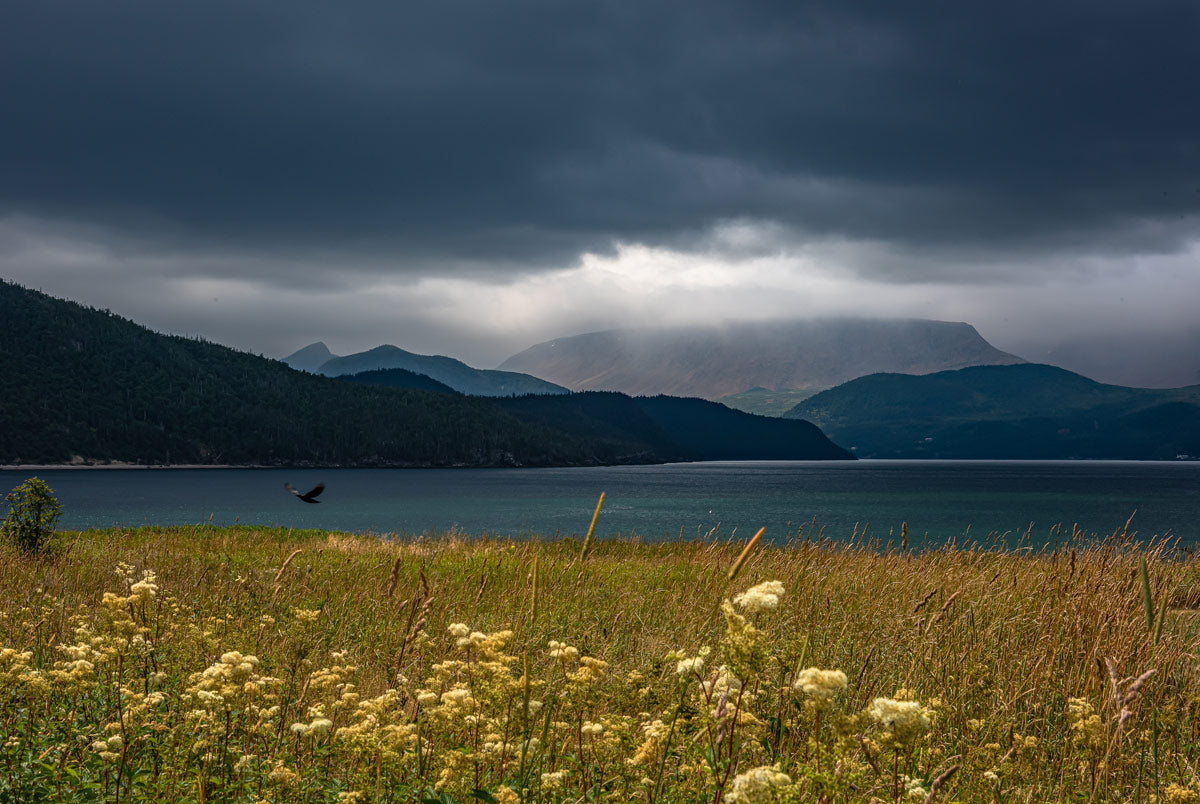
83,386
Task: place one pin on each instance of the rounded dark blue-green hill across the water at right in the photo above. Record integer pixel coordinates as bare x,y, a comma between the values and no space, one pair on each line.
1006,412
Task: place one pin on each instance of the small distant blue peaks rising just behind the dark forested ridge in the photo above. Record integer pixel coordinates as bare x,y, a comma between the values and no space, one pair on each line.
317,358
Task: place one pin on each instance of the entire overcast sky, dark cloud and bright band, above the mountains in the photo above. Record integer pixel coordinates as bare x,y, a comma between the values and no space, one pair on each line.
472,178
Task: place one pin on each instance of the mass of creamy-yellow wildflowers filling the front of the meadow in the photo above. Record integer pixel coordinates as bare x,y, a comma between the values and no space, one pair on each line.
262,707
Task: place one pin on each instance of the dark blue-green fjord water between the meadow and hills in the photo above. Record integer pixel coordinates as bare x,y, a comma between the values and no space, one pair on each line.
940,501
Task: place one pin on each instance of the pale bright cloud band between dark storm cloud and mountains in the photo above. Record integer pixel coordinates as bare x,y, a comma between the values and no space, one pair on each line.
740,271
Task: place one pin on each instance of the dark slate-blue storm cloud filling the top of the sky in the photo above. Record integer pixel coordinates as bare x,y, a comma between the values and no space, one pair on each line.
488,136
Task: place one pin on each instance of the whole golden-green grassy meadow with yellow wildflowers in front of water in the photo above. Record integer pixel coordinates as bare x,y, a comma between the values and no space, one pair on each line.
261,665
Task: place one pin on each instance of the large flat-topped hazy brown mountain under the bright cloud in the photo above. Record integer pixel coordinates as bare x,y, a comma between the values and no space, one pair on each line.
715,362
